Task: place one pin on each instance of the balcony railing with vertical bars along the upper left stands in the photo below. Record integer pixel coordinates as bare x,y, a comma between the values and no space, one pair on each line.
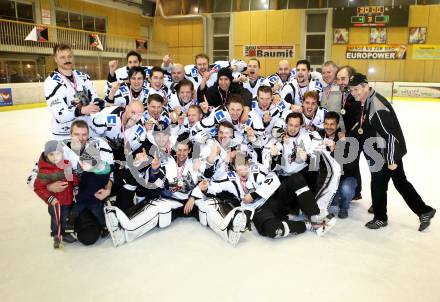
13,33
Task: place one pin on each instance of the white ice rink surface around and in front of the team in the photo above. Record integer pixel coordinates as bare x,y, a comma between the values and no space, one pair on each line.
189,262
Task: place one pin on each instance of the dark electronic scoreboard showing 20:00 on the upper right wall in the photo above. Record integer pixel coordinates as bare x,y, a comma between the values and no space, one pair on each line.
374,16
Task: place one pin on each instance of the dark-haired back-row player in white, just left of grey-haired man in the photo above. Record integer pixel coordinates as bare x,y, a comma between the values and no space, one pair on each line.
304,82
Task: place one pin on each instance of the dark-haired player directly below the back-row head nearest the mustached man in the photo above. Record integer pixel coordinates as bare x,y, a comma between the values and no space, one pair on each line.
134,89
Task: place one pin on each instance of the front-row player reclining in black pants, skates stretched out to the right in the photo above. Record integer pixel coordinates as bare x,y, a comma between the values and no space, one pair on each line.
261,191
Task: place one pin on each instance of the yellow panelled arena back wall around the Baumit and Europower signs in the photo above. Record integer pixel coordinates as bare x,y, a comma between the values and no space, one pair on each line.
286,27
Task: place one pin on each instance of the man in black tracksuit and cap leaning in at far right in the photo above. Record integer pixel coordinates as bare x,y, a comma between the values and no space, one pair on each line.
378,120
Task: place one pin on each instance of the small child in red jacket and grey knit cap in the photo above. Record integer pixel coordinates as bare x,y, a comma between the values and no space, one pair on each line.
51,168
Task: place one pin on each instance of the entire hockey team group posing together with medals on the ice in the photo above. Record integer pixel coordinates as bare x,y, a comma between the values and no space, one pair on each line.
217,143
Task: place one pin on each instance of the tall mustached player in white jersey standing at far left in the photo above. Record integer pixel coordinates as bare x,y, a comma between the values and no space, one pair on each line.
69,93
